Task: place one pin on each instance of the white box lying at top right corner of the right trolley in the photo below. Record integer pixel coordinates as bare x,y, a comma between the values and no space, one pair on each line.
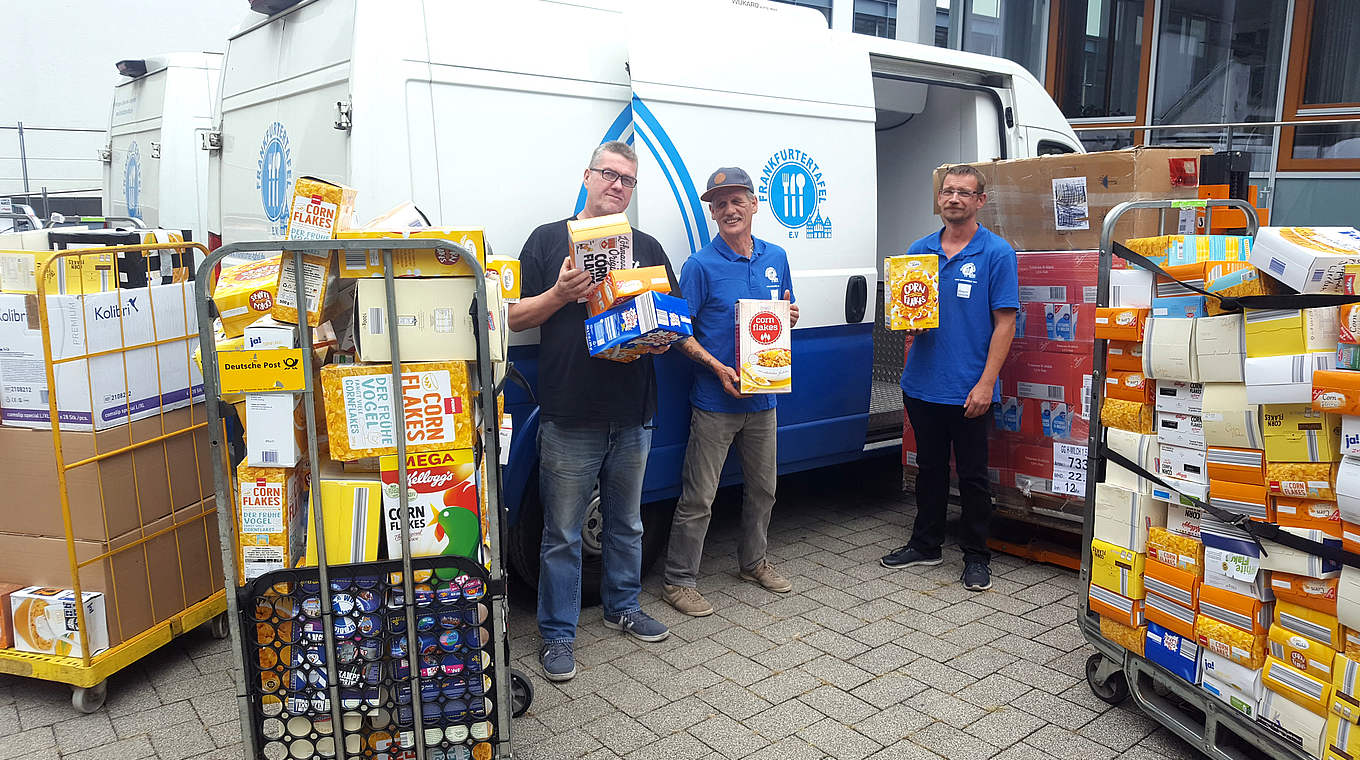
1308,259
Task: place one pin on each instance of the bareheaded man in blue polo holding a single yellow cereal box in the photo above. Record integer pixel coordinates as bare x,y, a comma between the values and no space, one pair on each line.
950,383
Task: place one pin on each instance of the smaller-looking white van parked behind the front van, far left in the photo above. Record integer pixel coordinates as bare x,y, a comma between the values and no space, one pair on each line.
154,168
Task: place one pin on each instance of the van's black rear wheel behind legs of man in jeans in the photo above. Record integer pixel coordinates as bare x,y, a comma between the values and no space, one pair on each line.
527,536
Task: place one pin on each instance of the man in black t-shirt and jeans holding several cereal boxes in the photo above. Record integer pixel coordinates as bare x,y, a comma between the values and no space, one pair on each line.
594,425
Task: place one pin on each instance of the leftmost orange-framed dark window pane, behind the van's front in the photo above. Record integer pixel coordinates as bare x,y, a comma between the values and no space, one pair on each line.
1101,55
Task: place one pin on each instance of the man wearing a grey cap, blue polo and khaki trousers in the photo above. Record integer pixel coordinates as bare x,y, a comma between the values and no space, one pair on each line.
735,266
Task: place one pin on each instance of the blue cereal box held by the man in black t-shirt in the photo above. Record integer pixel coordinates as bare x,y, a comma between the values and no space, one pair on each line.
625,332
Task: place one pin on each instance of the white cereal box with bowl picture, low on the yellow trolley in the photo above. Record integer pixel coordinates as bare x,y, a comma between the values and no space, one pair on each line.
47,622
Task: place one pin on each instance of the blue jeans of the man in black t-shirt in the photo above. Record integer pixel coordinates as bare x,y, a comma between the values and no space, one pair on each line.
571,463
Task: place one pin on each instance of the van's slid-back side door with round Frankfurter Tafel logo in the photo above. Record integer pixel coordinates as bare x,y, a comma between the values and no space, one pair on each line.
766,88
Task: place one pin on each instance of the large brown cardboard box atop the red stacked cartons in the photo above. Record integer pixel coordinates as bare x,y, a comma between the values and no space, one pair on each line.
1059,203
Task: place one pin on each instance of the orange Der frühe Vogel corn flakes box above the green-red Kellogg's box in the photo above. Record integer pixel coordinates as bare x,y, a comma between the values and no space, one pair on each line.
435,398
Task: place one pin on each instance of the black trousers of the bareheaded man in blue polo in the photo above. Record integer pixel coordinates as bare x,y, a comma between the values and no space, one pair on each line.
938,429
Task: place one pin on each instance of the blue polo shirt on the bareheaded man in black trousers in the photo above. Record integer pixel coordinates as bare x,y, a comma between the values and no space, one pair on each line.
946,364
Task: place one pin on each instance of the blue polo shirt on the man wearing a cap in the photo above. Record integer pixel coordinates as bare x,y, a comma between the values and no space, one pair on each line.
713,281
